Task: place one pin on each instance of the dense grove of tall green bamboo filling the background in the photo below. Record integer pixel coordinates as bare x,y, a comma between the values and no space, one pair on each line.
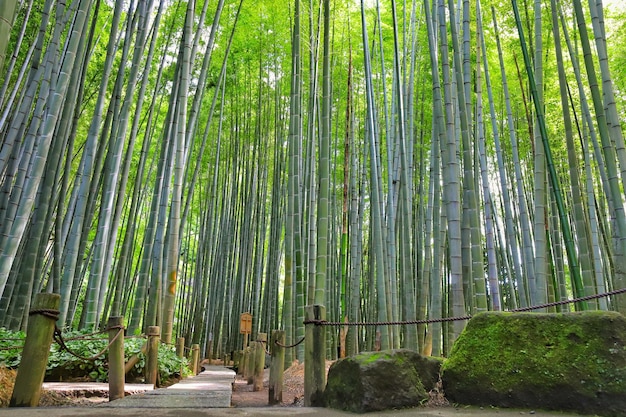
181,162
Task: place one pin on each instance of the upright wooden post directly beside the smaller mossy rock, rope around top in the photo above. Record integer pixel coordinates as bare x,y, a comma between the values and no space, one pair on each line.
314,356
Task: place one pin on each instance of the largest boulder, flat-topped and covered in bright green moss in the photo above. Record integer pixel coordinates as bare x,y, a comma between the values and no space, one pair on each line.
569,362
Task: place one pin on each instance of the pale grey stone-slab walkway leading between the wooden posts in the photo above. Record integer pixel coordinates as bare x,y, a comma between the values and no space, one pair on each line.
210,389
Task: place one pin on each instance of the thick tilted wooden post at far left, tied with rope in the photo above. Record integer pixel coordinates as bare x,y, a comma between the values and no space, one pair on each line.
32,368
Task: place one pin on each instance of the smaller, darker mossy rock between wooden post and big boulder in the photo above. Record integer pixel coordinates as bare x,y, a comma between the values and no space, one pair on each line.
376,381
